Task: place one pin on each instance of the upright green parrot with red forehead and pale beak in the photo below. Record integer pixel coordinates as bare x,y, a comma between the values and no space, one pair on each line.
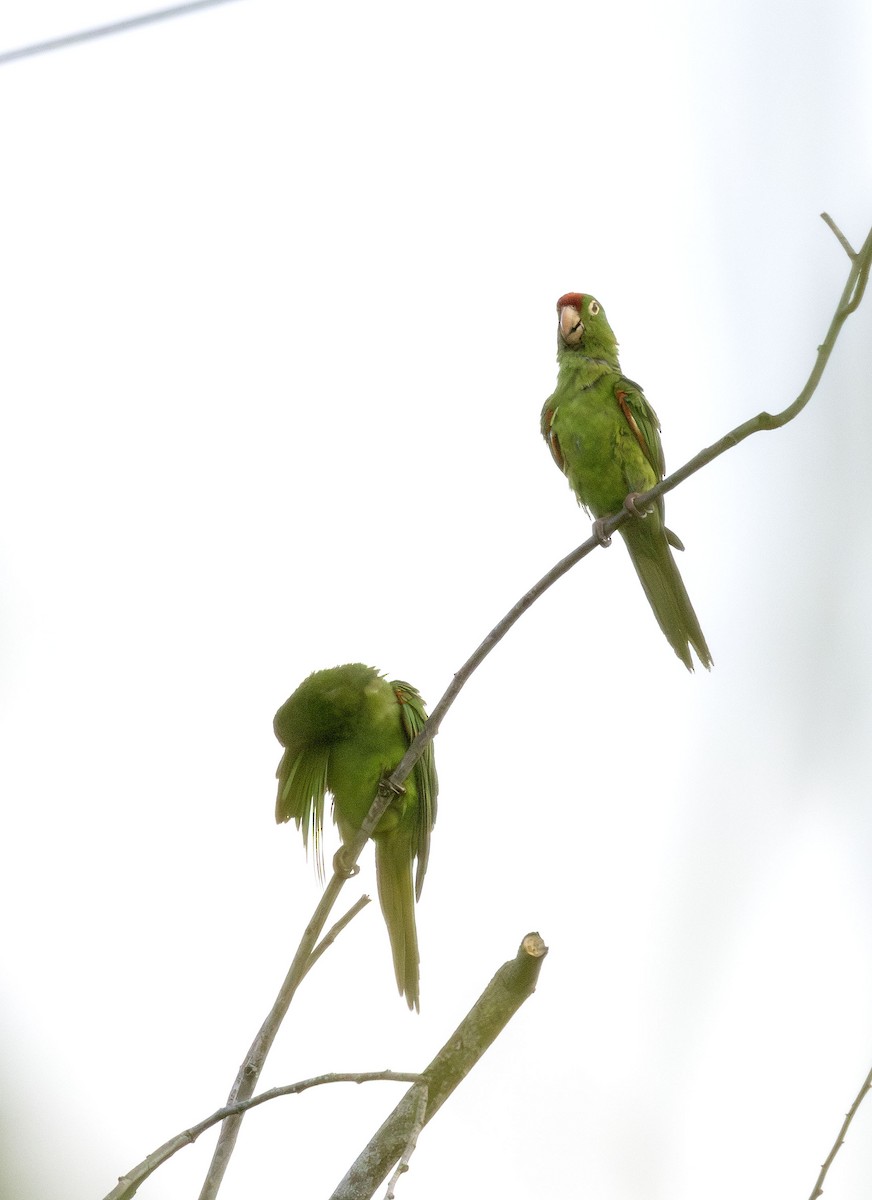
605,437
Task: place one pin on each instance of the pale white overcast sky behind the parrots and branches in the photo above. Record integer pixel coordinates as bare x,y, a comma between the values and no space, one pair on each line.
278,311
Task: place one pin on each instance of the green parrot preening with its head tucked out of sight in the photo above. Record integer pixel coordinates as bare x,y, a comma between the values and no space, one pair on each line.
344,730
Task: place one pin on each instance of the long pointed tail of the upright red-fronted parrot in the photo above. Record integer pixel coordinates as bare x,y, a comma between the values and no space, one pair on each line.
665,590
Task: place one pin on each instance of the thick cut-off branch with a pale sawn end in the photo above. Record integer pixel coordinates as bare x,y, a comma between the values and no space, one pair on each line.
498,1004
